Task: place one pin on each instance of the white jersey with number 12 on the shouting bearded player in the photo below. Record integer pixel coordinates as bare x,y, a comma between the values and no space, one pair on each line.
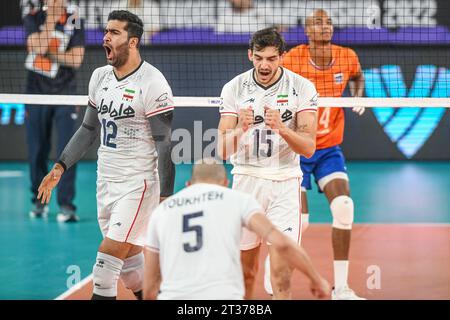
127,149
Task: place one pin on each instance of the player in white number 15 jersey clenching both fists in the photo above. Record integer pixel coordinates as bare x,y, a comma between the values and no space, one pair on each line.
268,119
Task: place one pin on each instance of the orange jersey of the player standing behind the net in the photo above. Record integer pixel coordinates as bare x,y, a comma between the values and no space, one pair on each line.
330,82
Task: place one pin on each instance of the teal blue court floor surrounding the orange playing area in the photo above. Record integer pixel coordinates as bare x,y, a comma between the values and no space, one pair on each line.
40,259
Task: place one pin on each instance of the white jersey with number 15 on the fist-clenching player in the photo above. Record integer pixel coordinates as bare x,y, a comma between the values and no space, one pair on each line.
262,152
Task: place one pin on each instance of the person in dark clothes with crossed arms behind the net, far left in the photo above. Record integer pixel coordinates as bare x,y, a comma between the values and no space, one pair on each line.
55,43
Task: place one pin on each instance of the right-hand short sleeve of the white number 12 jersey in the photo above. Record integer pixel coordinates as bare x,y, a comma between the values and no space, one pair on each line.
158,97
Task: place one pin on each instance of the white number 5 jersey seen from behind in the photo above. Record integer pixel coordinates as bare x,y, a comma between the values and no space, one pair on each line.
197,234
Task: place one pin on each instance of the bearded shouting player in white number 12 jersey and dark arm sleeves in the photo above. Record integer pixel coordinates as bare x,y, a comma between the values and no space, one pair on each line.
130,105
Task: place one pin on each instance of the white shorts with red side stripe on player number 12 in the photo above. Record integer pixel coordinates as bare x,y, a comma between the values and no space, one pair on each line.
124,209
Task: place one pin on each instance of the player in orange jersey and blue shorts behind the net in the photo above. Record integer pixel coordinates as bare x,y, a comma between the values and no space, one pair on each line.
330,68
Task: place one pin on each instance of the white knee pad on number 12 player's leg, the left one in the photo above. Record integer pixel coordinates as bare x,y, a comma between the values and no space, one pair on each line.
105,275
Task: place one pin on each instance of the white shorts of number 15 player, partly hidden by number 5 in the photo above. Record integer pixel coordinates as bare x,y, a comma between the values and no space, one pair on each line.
281,202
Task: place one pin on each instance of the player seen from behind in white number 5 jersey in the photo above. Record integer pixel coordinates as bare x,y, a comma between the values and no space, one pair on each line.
193,241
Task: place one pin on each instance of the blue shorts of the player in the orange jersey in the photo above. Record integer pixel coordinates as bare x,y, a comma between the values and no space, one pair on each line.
324,162
